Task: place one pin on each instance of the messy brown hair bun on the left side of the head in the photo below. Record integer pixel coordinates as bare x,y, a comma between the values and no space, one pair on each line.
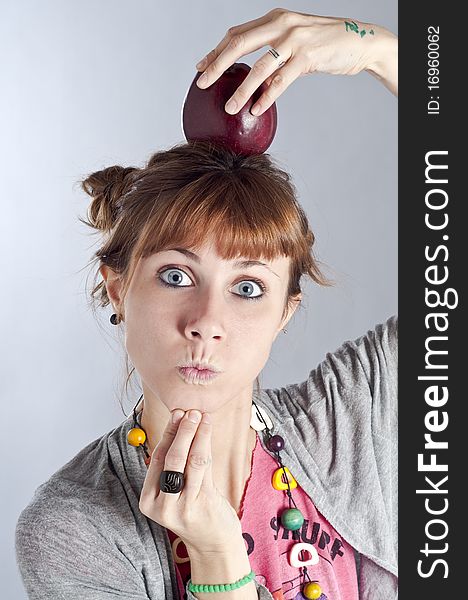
106,187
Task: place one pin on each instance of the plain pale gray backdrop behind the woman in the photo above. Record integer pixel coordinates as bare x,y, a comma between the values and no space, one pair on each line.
89,84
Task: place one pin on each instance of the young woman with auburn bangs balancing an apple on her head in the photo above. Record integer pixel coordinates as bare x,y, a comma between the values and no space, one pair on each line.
211,489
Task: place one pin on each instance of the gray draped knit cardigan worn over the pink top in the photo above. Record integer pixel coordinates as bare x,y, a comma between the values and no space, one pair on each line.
83,537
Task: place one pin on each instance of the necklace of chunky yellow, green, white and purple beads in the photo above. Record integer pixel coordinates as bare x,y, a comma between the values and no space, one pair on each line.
282,480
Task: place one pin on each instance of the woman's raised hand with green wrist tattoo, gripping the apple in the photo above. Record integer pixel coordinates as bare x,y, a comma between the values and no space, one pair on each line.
305,44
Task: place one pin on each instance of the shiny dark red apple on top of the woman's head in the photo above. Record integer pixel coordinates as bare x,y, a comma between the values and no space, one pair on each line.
204,116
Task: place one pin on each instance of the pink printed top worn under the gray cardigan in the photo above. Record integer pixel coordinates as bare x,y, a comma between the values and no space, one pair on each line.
268,543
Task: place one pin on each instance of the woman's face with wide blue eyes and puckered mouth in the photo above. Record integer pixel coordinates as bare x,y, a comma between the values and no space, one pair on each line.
184,307
